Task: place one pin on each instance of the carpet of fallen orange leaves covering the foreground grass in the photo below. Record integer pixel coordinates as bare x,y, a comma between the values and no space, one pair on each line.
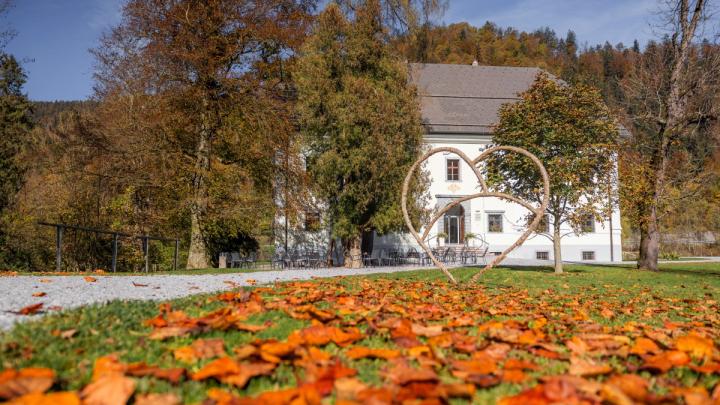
428,342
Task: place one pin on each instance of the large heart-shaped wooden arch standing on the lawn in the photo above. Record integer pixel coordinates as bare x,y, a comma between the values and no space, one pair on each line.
484,192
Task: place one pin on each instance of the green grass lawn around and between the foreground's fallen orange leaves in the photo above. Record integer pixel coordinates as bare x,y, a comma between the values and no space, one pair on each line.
573,303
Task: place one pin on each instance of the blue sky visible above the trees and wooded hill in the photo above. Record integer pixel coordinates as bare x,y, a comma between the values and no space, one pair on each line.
54,35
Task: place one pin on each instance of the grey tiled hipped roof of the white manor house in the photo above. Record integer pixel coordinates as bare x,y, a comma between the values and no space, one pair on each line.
465,98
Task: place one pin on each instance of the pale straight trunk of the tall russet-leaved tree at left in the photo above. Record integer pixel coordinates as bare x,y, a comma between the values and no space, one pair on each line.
197,255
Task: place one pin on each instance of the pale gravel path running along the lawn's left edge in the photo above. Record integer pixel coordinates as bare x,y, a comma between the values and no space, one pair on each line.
63,292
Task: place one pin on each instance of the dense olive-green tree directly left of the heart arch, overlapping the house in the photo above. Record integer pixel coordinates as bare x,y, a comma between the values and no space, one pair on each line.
362,123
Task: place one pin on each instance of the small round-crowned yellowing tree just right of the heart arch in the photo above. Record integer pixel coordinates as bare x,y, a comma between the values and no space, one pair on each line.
570,129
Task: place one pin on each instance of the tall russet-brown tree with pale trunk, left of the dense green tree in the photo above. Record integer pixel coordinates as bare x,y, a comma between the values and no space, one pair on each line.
206,77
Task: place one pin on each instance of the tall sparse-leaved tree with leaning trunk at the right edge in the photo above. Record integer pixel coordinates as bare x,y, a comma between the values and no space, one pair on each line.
669,95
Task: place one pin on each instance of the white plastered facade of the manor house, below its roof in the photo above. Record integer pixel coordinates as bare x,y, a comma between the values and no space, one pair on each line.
477,210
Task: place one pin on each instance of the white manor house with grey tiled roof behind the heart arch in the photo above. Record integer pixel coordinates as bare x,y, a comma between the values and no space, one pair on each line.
460,106
